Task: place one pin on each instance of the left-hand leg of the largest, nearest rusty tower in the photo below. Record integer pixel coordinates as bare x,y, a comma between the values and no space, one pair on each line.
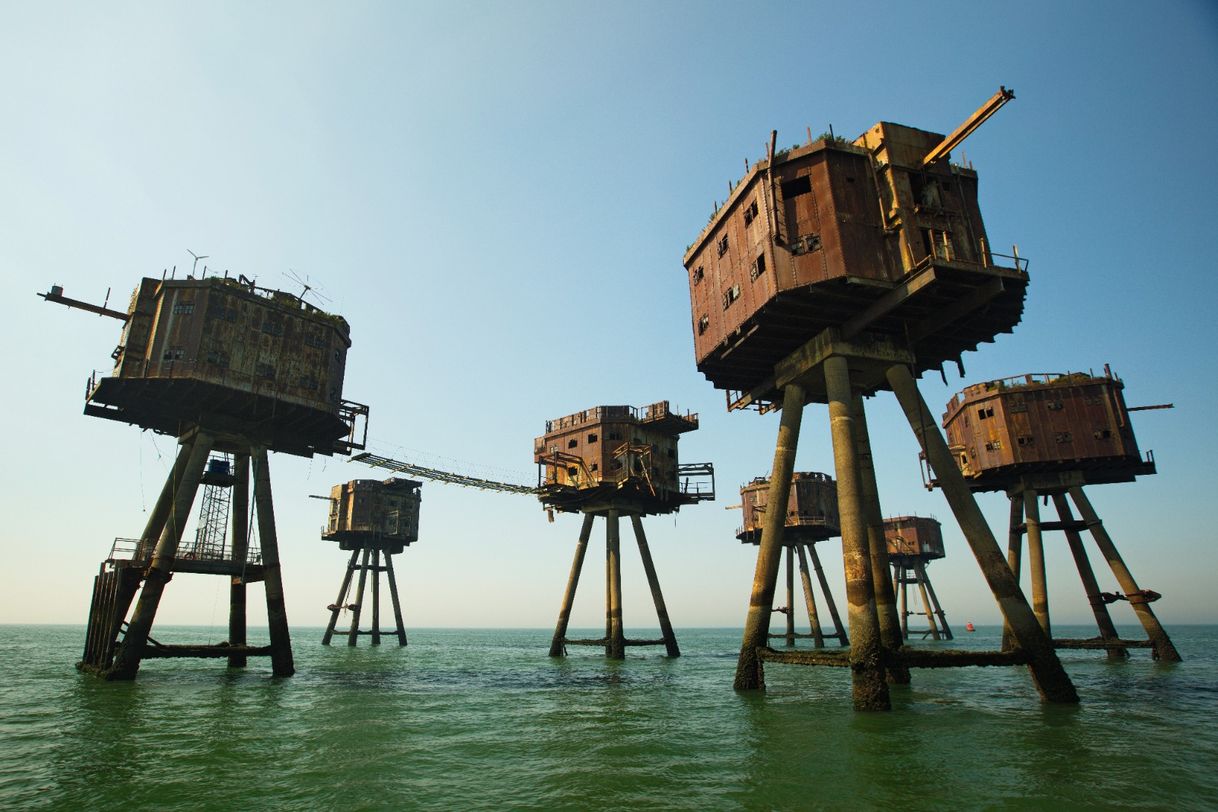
757,624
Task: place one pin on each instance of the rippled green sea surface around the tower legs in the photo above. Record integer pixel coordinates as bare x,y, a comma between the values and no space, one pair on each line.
484,720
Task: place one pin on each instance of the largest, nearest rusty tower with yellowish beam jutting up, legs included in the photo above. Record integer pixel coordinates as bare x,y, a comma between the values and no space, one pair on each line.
833,272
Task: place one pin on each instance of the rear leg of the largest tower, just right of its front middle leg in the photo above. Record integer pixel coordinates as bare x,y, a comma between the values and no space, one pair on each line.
886,600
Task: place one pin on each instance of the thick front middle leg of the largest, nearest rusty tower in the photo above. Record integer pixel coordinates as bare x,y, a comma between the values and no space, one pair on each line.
868,671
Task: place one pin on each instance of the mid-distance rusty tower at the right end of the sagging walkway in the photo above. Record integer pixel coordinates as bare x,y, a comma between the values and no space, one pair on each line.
612,462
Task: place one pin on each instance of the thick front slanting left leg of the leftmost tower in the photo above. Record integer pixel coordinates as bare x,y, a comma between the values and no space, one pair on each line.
127,662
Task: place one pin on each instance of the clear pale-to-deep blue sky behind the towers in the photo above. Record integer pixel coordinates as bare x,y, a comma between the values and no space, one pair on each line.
498,197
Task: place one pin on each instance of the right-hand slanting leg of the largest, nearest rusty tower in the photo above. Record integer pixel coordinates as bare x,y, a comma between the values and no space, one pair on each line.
1052,680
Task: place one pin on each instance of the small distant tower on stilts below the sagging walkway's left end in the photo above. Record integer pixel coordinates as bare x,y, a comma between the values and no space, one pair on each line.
371,518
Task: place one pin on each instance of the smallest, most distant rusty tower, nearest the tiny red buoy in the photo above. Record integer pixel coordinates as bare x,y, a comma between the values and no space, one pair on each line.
913,544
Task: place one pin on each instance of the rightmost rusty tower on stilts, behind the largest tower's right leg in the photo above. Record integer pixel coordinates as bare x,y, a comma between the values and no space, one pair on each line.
1048,436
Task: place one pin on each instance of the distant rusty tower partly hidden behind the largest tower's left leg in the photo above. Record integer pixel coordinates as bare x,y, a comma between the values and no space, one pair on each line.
811,518
